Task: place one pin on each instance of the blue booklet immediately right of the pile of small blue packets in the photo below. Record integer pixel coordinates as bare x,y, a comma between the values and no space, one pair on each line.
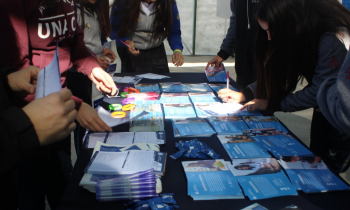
242,146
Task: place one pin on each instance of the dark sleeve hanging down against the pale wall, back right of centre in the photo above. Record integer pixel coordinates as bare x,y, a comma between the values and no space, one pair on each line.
228,44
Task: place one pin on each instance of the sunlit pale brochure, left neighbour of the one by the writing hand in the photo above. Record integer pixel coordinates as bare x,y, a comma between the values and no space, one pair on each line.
178,111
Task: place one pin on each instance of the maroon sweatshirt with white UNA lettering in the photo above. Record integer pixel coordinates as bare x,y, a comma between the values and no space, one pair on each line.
29,33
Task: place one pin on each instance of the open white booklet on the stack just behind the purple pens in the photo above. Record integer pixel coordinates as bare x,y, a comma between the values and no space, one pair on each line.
119,163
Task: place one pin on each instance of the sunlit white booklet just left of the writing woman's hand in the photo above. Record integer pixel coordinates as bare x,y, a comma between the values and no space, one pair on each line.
210,109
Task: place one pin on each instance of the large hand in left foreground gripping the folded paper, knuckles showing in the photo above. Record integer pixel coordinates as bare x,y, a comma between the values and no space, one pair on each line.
52,116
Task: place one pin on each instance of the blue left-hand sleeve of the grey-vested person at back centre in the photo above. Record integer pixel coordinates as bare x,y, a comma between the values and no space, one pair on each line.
116,24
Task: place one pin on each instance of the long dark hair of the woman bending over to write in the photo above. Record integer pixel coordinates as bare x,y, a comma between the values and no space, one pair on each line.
296,27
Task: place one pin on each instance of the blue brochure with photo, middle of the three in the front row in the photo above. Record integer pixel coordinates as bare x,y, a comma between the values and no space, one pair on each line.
261,178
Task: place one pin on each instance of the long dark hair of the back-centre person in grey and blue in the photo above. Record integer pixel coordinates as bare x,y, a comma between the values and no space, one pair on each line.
130,12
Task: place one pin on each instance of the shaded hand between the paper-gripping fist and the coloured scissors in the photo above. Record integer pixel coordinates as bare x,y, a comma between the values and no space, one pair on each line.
89,119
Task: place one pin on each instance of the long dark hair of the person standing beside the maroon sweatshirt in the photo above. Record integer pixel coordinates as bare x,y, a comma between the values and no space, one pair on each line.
101,7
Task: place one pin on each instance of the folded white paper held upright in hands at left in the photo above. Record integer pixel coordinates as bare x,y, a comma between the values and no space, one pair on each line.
49,78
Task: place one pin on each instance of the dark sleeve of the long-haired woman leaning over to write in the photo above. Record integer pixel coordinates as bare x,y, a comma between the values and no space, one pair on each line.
331,54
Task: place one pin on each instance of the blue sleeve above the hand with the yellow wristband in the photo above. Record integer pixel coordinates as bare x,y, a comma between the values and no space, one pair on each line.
174,37
